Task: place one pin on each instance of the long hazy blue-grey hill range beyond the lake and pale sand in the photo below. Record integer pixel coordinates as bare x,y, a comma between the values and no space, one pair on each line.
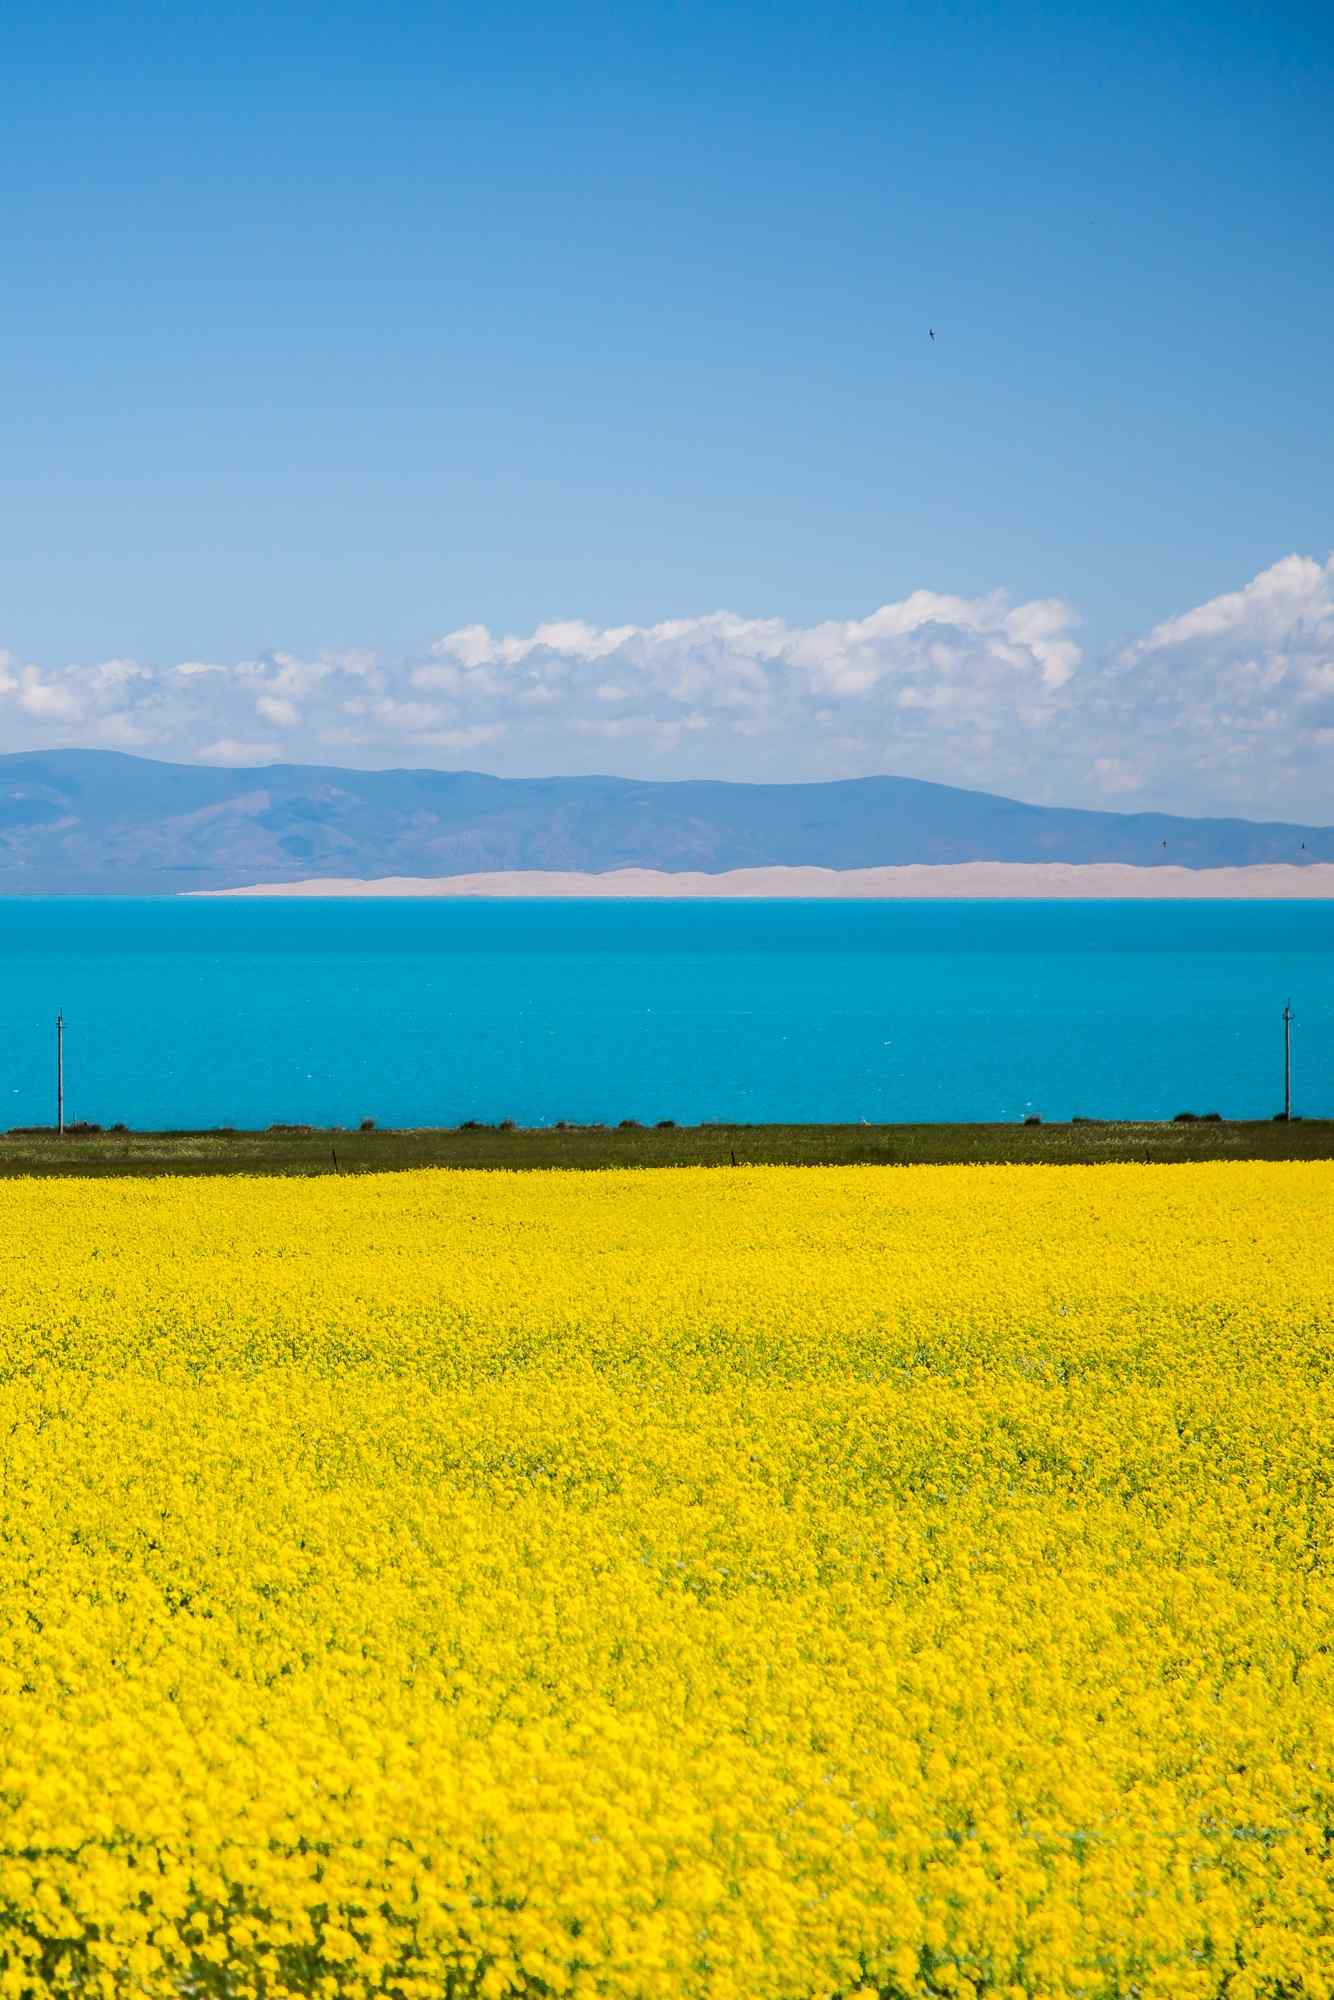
101,823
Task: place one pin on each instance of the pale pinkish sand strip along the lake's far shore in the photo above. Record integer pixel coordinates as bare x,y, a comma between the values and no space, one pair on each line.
1275,881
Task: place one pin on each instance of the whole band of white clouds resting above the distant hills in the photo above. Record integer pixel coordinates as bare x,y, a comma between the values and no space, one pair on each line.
1223,709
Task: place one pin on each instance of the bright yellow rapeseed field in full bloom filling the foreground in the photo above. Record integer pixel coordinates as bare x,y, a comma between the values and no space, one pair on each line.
669,1587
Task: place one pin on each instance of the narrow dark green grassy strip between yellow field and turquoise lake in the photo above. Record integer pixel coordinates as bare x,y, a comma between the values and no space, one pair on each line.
295,1149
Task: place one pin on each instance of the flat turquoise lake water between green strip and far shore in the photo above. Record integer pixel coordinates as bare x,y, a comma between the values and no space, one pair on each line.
431,1013
